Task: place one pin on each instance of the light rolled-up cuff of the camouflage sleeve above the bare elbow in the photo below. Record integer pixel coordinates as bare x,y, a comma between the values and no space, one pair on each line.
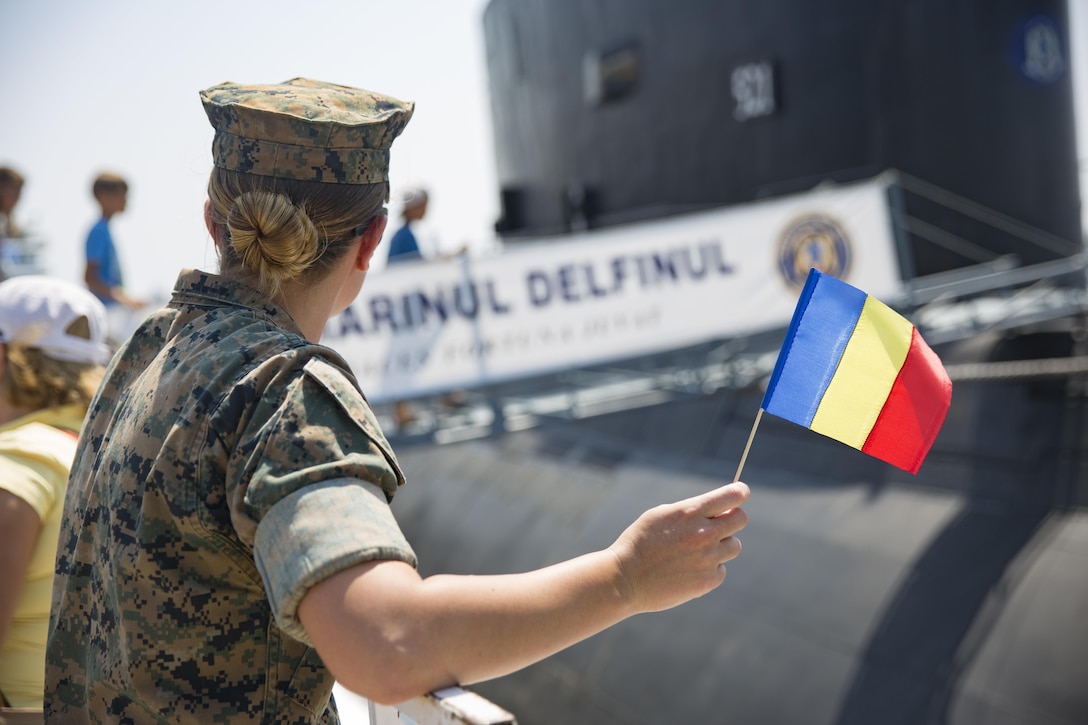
318,532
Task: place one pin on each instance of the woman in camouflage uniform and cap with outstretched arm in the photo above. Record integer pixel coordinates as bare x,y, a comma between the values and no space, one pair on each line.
228,548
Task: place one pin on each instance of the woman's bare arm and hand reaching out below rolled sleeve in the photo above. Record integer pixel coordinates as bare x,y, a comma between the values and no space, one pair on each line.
390,635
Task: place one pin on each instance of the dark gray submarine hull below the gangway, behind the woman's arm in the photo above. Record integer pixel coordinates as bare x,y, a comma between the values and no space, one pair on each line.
863,595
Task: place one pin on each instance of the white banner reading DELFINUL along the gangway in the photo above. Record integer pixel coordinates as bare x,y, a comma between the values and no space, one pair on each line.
611,294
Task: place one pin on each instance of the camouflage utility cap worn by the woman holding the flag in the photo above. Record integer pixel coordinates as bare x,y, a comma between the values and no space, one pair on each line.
305,130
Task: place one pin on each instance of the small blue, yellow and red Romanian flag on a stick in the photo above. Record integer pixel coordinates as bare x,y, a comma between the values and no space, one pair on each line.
855,371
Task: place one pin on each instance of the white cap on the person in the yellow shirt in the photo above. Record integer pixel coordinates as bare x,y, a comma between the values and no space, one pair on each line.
36,312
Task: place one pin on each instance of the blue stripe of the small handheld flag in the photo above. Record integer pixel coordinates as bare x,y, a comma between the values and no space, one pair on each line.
823,324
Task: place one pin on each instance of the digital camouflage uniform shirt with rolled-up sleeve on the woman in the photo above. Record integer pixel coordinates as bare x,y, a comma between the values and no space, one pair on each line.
228,464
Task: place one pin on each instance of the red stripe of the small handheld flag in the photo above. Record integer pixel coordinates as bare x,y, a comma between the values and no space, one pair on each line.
916,409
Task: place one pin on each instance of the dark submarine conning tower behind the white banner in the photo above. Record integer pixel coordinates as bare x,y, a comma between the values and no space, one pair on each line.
615,112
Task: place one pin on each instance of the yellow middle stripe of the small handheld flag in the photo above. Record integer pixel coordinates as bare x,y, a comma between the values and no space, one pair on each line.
866,375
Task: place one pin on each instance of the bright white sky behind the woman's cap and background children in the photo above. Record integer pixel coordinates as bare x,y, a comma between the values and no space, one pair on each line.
113,85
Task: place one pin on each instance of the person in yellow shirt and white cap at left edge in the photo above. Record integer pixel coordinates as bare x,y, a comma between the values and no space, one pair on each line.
53,349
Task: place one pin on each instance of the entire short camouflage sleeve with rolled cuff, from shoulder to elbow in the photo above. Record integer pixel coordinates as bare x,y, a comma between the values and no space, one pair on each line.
311,482
